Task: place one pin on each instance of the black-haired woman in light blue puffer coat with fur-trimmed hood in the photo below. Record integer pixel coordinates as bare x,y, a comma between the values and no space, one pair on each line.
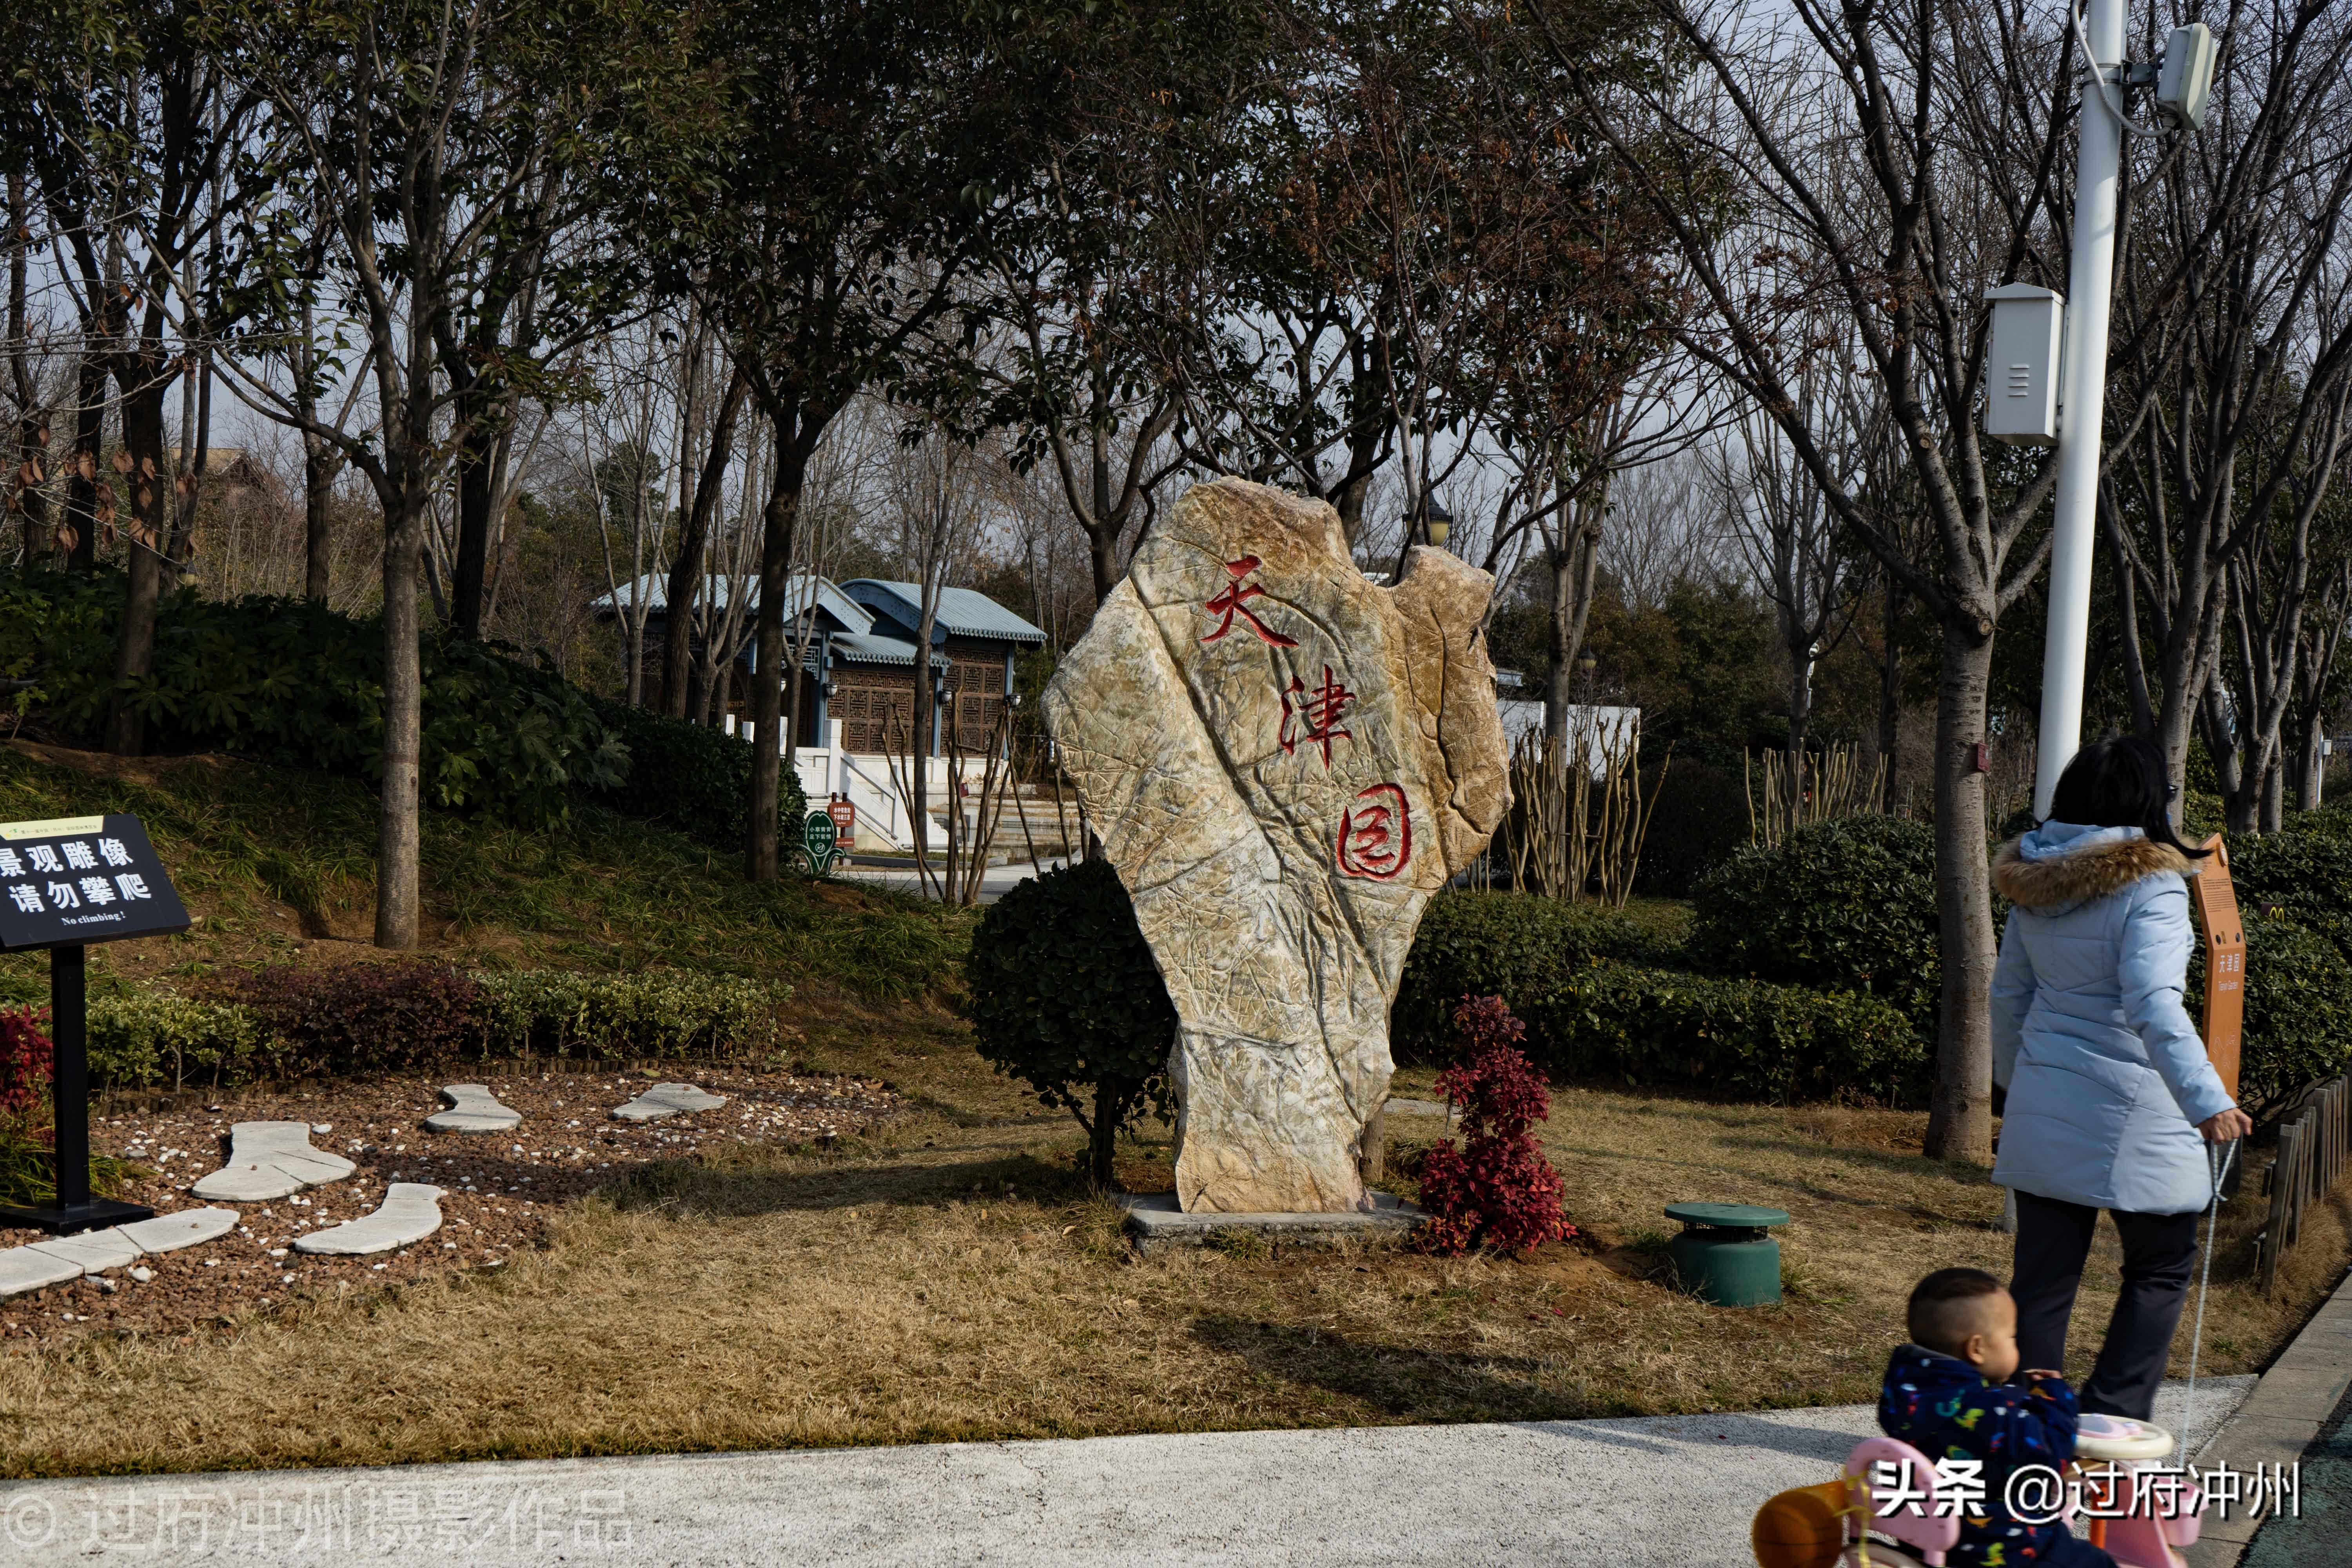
2109,1083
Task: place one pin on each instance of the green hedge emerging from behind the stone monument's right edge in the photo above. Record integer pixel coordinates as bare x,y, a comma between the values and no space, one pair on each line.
1476,944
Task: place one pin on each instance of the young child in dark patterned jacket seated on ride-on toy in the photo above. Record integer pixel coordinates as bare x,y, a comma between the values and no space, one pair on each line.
1951,1398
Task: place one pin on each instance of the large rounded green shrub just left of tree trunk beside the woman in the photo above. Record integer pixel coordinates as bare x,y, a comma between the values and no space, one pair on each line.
1840,906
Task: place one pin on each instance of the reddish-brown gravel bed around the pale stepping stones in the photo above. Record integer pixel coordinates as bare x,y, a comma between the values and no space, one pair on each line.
500,1188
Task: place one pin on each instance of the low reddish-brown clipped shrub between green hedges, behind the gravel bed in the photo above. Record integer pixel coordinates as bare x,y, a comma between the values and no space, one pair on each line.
368,1017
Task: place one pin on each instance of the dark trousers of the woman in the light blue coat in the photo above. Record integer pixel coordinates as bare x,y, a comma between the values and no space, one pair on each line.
2160,1252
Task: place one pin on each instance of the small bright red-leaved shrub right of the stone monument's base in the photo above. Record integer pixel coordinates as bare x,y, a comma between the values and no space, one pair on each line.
1497,1191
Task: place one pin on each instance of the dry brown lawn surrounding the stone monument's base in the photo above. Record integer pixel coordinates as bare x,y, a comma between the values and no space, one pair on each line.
951,1280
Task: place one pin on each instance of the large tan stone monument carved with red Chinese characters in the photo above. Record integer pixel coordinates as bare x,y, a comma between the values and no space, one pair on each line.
1283,763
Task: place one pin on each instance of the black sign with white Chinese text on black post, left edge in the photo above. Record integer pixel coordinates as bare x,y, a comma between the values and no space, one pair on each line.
69,883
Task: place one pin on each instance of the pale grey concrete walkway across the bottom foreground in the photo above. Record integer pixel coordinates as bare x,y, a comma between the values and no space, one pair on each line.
1671,1492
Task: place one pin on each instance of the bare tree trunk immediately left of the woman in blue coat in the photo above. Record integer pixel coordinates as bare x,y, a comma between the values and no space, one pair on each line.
1960,1115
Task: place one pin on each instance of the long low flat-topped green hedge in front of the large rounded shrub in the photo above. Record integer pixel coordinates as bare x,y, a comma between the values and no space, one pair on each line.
1735,1038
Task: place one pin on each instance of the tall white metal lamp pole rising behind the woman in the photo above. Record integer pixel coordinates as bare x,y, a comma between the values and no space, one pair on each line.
2083,398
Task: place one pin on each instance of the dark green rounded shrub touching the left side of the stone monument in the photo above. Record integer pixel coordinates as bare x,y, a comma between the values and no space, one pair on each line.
1067,998
